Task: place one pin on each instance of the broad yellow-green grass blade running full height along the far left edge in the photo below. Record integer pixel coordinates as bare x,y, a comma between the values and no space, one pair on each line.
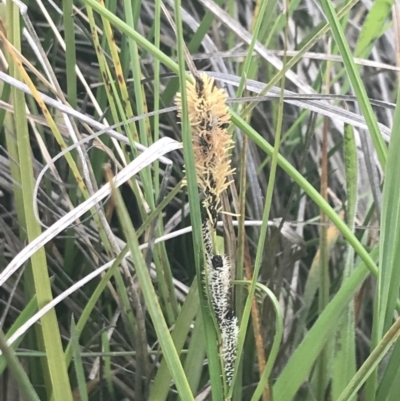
55,372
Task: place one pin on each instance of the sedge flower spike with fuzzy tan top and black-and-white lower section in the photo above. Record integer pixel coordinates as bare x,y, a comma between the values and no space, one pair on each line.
209,118
